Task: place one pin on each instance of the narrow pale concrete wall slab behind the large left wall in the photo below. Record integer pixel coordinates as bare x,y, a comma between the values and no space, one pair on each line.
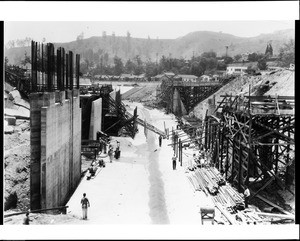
96,118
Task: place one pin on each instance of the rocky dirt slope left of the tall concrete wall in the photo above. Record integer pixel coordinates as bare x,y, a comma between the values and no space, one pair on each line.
16,151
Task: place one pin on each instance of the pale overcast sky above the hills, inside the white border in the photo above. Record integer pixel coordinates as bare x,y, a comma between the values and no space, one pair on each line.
68,31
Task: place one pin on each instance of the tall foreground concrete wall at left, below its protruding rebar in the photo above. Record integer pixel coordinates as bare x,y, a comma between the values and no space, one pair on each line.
55,147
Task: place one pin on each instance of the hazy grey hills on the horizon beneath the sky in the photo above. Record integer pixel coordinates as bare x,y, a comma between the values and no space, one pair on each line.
196,42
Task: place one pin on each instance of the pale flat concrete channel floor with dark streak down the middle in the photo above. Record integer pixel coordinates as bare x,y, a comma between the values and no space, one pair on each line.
141,187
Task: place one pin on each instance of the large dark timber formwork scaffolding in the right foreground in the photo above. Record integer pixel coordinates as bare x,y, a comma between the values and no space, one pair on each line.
253,137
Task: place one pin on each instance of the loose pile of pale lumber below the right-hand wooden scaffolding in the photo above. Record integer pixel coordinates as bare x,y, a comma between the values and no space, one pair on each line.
228,201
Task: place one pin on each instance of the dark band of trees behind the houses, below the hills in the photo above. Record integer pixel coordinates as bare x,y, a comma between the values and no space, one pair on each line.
198,65
